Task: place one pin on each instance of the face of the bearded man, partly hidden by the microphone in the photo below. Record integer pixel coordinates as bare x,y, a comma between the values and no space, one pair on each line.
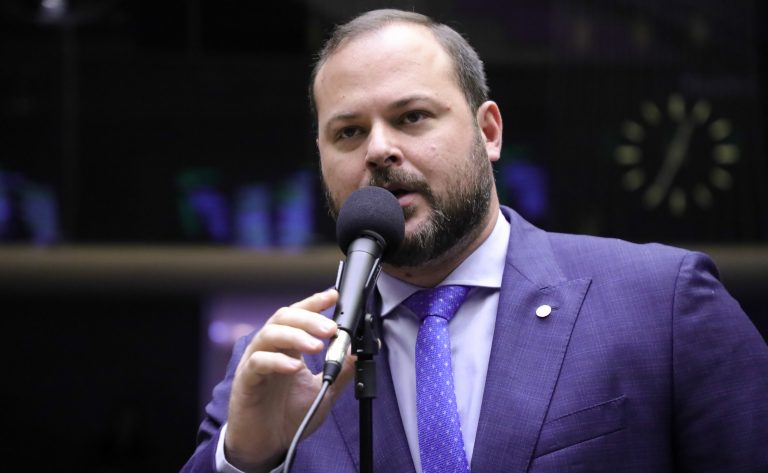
391,114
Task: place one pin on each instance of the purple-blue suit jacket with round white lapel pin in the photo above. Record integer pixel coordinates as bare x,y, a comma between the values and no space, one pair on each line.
646,364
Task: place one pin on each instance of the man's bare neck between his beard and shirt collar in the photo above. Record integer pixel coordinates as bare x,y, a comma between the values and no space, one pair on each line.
435,271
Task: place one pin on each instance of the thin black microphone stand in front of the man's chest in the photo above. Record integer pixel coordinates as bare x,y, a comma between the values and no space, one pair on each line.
366,345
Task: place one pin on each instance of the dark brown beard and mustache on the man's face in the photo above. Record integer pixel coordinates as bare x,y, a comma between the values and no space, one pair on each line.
453,219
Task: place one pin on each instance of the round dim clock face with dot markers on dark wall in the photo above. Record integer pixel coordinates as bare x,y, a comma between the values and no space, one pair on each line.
676,155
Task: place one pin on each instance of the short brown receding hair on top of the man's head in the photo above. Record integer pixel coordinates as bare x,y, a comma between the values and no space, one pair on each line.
467,66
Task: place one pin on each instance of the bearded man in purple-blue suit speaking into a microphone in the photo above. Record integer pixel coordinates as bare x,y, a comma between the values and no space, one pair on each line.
570,353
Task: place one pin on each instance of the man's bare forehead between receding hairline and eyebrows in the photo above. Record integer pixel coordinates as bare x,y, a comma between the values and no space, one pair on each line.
398,58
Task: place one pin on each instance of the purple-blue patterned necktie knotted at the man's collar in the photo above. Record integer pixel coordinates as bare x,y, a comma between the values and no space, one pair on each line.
441,445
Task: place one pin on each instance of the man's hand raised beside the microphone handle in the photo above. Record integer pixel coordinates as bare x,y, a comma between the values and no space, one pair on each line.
273,388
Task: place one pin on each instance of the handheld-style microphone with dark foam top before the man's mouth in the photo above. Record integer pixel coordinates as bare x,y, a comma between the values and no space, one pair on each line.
370,226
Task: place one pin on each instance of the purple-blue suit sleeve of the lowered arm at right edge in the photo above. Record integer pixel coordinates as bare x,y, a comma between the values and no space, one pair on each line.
720,370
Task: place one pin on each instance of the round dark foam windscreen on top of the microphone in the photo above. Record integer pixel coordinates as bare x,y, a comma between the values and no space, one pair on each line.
371,209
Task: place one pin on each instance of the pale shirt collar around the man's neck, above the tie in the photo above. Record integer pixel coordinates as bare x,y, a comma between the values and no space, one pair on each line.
483,268
